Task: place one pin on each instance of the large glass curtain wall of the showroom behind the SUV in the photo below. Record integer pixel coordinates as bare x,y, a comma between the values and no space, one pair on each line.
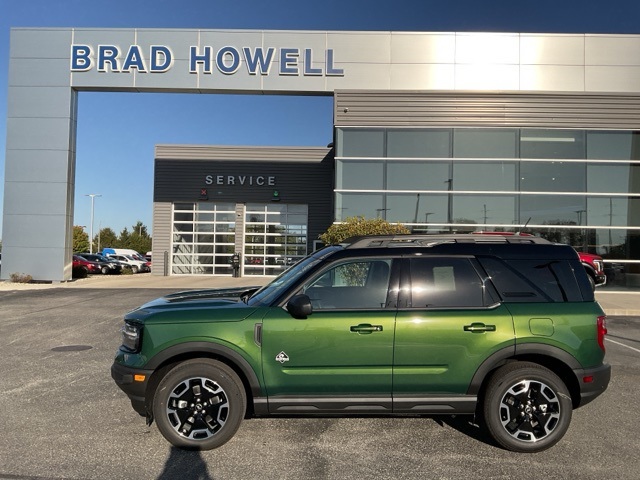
579,187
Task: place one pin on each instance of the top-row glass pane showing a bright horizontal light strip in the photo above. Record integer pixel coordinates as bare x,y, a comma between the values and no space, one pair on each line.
552,144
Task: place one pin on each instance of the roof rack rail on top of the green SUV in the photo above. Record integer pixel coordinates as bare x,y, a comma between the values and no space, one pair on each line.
373,241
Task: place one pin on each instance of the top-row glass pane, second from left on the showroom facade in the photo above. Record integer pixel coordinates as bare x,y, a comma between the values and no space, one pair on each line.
419,143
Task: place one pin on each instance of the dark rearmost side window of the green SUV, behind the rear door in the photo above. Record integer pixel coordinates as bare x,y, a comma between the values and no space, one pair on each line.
533,280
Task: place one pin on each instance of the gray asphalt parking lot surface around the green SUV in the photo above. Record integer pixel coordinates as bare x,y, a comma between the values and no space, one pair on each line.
63,417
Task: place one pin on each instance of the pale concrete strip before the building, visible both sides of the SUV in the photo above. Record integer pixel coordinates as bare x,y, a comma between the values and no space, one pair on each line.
614,303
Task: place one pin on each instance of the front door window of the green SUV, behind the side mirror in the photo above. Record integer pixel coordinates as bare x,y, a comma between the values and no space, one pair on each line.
355,284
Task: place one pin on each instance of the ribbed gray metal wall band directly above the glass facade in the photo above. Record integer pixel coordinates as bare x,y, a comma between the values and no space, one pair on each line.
365,108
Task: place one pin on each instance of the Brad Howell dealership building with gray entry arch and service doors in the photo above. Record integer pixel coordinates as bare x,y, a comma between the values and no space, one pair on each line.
443,132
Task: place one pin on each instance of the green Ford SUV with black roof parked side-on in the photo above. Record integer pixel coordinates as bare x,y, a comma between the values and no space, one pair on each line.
503,328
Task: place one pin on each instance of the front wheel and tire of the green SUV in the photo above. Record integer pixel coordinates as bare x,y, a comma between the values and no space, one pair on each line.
199,404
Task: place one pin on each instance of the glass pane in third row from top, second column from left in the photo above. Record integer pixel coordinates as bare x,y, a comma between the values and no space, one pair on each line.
430,208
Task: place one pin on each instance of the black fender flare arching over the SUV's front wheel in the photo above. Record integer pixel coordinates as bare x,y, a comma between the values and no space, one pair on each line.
191,349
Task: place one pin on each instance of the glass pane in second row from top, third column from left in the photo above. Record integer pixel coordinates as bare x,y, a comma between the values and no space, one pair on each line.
498,176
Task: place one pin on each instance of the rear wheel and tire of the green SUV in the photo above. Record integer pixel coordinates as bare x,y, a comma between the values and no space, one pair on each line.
527,408
